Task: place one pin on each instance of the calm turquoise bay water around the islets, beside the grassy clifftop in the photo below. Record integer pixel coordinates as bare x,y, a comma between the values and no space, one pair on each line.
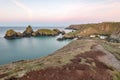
27,48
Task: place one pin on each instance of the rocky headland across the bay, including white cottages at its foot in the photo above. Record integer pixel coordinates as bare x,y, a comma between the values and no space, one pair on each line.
108,30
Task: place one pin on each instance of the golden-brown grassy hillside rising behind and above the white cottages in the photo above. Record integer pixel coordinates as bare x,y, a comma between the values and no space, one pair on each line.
100,28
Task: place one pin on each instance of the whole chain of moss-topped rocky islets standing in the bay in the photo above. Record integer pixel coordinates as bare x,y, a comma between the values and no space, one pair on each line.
11,34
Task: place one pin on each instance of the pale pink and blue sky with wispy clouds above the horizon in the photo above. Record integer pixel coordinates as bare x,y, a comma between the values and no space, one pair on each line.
58,12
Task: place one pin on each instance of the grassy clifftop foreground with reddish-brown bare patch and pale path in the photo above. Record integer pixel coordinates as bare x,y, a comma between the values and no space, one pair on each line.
81,59
